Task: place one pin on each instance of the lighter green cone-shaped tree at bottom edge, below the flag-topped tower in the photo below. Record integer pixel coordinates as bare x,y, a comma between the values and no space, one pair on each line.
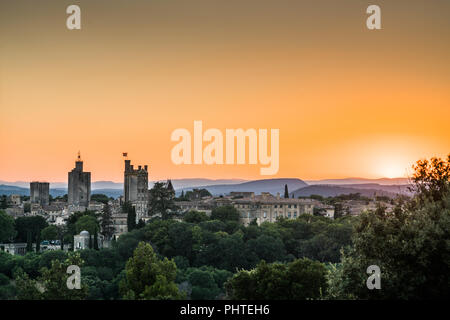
147,277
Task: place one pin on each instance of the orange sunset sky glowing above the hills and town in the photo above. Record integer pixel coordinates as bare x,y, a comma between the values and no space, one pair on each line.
348,101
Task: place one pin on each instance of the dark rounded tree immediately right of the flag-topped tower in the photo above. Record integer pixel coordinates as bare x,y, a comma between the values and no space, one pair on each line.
161,201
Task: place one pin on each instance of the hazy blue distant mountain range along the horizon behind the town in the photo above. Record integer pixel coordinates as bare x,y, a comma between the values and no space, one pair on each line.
326,188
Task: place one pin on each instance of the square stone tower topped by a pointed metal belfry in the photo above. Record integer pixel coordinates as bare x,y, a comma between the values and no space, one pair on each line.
79,185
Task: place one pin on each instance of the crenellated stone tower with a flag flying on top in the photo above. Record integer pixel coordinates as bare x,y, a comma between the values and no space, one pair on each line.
136,188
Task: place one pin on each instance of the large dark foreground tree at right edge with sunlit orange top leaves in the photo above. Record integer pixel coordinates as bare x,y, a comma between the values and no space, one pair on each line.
409,245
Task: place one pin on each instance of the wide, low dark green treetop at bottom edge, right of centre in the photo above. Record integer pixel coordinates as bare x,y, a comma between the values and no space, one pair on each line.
299,280
